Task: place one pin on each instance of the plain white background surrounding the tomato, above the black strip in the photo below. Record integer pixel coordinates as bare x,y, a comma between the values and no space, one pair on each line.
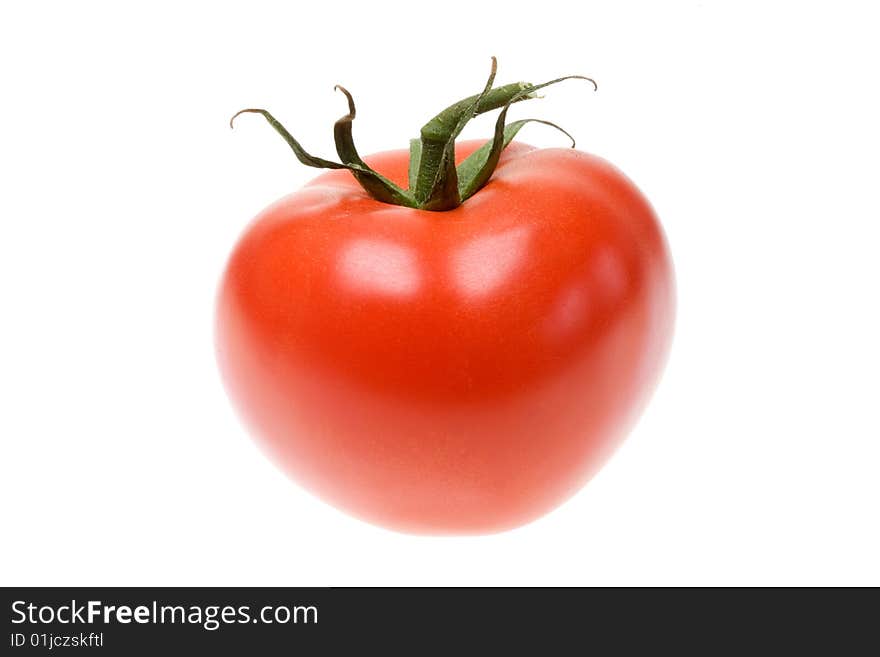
752,128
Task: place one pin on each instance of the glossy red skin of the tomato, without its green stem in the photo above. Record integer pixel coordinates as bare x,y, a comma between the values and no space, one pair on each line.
449,372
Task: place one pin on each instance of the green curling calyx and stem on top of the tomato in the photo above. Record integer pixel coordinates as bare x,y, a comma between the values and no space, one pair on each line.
435,183
